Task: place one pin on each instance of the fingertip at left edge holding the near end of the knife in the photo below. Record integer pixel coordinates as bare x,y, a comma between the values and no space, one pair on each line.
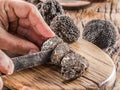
6,64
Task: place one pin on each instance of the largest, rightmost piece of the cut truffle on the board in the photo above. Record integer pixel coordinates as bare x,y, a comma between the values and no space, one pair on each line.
73,66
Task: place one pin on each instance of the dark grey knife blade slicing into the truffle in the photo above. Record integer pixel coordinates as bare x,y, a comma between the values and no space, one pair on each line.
31,60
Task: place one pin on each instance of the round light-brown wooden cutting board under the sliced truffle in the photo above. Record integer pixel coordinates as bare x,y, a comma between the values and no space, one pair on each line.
100,75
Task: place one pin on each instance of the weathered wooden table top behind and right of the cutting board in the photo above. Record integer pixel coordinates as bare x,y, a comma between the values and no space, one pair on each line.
106,11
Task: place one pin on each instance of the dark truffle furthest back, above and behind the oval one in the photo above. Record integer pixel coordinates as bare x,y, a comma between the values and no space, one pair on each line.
50,9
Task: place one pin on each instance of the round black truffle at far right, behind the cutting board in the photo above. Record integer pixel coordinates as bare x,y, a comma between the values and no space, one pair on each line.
100,32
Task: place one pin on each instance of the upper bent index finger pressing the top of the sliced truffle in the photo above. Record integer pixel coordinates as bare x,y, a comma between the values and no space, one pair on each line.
24,10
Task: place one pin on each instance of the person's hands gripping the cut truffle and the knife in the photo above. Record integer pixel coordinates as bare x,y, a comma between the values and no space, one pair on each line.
20,19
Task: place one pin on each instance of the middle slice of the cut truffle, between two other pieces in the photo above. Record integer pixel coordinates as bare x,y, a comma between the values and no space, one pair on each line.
59,52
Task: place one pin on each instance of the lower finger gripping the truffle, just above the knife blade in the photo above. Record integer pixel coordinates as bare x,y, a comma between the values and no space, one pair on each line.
15,44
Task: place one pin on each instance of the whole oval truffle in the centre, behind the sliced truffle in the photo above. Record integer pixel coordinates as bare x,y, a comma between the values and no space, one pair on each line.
64,27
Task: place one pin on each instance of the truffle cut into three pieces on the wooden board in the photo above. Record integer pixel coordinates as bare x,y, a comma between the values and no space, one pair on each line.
72,65
